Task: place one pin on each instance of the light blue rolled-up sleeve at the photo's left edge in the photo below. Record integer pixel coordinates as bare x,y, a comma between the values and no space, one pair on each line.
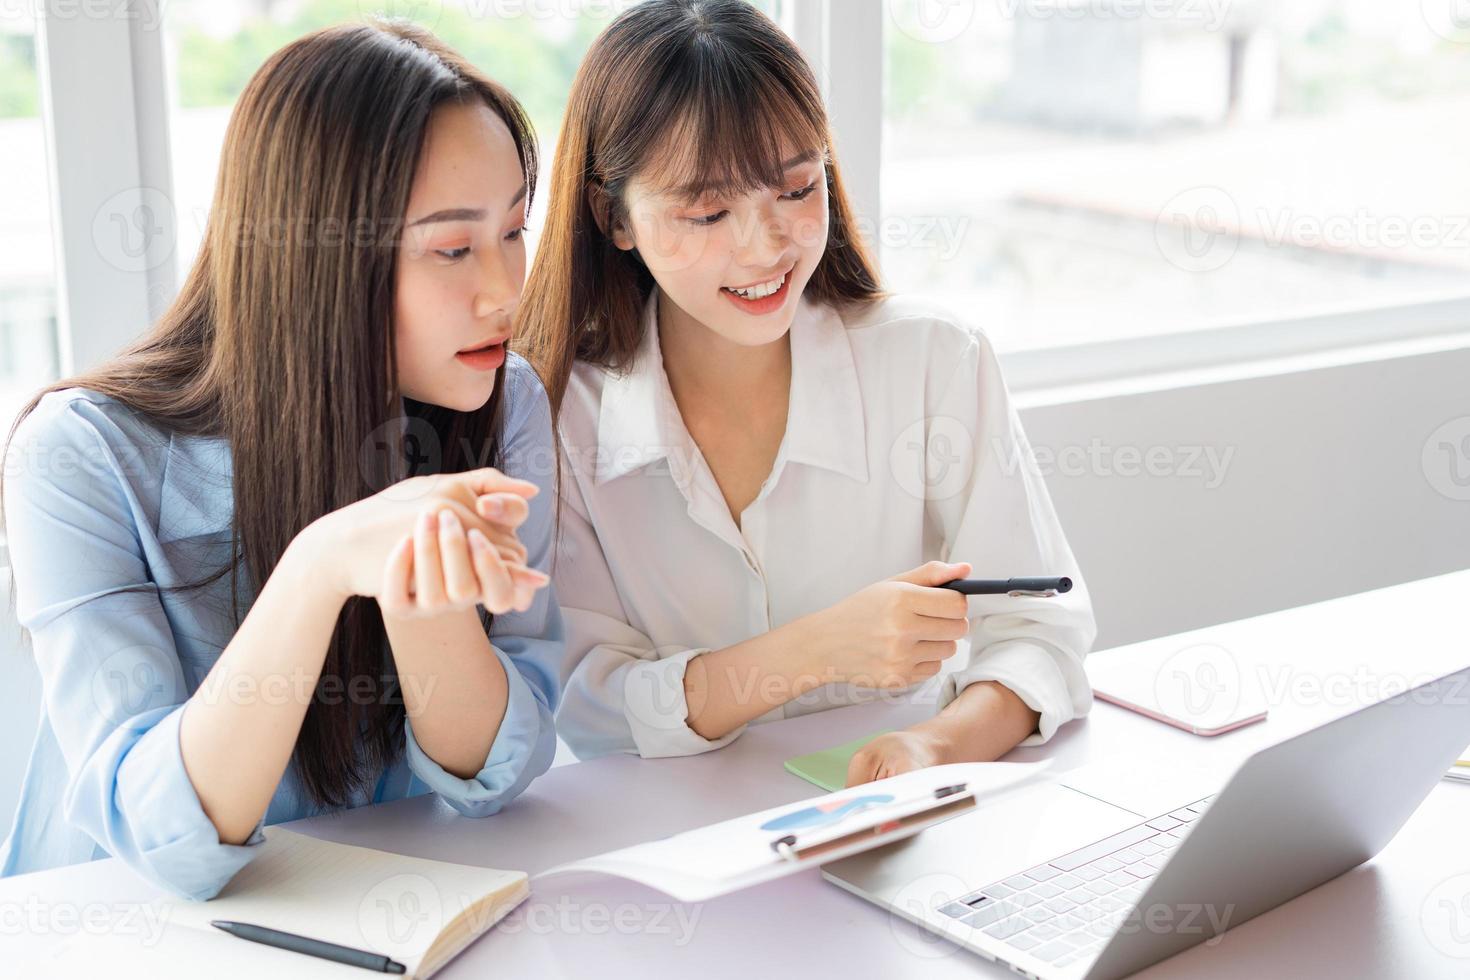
112,684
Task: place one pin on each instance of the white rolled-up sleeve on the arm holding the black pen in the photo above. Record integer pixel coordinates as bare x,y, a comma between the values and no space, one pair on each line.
623,694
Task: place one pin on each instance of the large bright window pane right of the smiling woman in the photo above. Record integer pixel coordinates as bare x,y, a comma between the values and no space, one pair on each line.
1071,171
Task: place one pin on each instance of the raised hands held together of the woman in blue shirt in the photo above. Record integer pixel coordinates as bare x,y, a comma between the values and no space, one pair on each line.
401,549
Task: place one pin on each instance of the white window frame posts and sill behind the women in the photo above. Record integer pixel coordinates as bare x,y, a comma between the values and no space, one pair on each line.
107,98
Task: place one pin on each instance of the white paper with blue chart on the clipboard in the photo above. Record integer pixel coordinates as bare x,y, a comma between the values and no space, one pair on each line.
737,854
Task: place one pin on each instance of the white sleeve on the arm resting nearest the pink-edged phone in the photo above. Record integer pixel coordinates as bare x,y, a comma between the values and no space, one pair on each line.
1003,522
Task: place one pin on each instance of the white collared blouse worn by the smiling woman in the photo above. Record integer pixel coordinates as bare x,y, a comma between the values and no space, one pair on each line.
902,447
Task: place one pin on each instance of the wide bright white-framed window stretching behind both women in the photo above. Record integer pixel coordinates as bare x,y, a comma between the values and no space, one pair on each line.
1062,171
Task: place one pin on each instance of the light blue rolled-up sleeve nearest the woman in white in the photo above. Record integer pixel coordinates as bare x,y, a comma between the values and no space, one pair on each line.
528,644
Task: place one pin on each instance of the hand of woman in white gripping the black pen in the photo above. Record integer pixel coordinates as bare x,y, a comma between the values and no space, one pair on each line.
899,633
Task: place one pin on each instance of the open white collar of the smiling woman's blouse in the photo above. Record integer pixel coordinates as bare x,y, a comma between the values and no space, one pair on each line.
640,422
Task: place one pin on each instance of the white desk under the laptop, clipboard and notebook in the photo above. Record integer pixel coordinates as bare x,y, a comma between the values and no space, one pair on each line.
1368,923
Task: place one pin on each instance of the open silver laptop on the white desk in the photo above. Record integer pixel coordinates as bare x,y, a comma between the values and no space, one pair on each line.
1062,882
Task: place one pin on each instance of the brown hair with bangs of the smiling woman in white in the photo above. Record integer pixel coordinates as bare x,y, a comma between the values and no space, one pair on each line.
671,89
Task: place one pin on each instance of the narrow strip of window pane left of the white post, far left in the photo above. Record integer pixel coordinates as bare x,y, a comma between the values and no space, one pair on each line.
29,352
